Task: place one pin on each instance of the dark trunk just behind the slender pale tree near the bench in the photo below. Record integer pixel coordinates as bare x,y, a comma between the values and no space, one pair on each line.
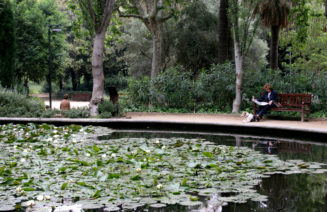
224,34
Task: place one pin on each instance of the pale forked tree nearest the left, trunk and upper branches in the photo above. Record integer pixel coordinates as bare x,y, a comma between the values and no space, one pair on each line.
97,15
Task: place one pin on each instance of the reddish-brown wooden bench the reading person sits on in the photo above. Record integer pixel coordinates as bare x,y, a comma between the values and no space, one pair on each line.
293,102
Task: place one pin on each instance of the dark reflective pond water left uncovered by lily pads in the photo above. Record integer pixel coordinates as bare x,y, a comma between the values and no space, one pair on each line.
301,192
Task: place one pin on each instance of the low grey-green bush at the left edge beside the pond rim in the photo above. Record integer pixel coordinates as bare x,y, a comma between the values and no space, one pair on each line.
16,105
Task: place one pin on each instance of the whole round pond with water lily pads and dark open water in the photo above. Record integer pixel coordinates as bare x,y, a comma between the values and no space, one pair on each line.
48,168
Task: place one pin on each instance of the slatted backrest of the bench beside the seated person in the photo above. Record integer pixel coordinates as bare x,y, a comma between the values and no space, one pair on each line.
287,99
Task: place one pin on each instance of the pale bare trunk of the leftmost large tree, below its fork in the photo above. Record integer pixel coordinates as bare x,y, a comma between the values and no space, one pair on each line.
97,72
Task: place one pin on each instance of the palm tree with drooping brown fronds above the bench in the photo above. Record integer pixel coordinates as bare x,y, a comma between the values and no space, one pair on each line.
274,15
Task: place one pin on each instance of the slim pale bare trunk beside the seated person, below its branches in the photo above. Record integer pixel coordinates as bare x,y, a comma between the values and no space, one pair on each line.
239,77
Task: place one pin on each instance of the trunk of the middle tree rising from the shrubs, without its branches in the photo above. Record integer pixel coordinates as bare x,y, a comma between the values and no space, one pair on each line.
158,48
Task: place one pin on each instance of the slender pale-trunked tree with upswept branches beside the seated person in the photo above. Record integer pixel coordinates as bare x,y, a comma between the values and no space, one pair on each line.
243,30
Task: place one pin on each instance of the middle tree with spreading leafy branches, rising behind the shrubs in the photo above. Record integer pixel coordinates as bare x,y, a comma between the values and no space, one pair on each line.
153,13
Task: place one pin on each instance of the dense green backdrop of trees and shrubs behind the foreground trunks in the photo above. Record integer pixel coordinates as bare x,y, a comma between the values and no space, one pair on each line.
191,81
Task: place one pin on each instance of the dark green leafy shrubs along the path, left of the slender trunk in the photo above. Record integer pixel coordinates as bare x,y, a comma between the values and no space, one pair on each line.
213,90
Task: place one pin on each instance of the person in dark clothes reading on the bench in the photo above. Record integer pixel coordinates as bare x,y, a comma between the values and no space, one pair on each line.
270,96
